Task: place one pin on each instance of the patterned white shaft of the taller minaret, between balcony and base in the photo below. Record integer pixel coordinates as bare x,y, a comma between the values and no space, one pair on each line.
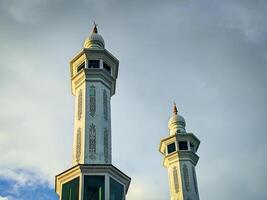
92,141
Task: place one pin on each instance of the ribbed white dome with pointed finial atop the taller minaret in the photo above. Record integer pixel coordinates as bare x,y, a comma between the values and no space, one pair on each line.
95,40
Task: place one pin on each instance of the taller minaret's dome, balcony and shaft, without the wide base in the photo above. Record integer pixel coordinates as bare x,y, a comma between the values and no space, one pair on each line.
94,74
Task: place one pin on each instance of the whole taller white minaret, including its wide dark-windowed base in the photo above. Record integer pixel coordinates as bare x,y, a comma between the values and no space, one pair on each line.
94,71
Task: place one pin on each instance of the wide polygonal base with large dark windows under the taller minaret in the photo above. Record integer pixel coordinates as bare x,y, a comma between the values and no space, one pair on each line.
92,182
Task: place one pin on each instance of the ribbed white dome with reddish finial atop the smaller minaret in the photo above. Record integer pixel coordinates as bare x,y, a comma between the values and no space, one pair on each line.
176,122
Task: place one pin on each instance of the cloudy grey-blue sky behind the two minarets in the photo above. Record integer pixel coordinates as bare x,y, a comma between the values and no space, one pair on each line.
208,56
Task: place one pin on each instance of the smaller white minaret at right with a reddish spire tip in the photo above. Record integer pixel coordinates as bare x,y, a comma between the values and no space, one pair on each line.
180,158
